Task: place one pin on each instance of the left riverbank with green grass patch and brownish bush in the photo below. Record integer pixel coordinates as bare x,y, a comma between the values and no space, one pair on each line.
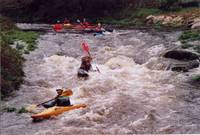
11,56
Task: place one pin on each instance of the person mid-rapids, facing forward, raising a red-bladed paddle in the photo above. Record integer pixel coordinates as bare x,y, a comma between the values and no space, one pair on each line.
85,67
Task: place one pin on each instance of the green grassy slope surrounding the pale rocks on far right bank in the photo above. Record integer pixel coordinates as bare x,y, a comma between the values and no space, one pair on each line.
138,17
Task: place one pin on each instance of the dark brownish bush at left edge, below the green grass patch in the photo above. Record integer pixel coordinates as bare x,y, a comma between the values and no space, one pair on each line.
11,69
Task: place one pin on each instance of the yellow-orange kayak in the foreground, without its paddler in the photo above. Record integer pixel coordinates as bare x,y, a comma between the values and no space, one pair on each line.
56,110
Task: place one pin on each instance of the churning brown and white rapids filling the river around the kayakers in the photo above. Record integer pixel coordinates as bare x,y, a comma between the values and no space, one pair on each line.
125,98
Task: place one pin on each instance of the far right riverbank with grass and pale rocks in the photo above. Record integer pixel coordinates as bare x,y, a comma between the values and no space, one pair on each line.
185,18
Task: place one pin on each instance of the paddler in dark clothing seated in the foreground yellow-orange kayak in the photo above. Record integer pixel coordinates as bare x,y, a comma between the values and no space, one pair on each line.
62,99
